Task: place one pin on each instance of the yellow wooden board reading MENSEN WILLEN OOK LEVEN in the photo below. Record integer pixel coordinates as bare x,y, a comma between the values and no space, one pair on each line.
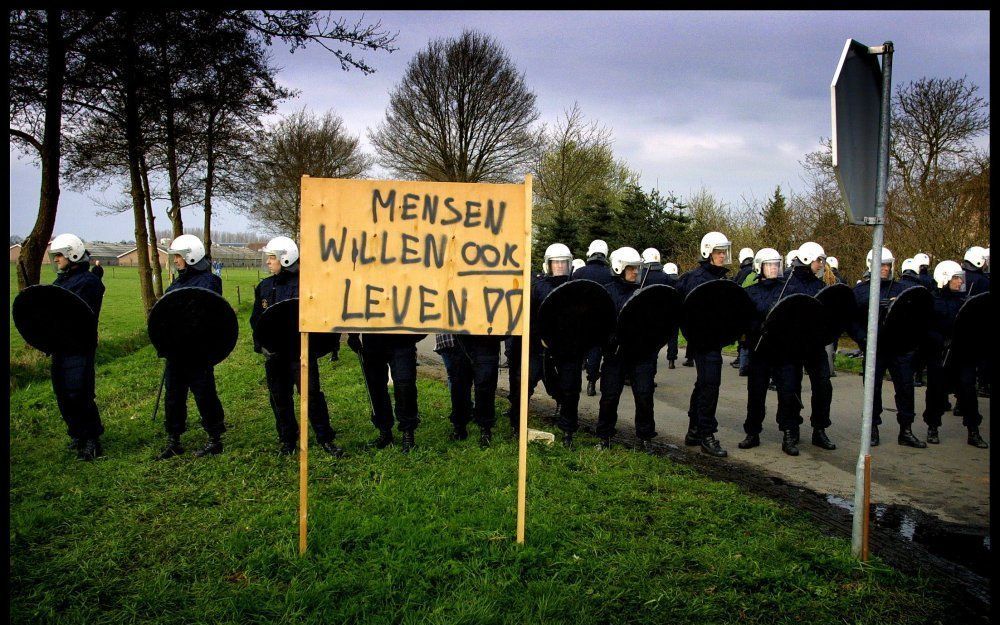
395,256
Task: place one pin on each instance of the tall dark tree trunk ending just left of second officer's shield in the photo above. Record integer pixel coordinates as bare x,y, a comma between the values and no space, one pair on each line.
134,157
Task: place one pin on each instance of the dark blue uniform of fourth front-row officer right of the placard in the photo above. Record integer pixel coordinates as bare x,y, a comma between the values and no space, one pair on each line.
761,369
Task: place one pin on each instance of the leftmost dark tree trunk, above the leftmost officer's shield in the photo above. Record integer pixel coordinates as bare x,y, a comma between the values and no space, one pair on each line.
29,262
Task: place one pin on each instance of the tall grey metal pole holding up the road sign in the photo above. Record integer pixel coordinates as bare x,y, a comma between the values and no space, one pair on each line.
862,472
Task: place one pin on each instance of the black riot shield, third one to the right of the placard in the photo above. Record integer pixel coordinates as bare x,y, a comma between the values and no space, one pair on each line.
715,314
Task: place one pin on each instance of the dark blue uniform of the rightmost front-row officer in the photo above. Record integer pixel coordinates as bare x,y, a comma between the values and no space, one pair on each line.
958,375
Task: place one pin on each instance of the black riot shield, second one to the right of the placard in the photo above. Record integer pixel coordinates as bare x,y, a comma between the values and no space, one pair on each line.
647,320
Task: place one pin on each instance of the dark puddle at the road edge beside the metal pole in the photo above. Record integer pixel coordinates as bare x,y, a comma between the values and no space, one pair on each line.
965,546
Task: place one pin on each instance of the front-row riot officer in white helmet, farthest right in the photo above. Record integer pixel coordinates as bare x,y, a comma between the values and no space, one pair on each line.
948,299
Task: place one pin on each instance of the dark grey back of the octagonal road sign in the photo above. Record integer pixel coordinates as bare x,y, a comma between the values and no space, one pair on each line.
856,94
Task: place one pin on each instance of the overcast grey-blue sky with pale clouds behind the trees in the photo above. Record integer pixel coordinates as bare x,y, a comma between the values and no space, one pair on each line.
731,101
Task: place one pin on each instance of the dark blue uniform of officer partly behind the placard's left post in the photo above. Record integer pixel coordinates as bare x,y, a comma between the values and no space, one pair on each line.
283,373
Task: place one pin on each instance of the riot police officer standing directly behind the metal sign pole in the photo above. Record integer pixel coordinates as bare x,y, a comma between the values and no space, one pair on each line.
900,366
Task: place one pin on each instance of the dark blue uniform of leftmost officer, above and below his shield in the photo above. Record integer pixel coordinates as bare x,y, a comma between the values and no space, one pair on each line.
73,375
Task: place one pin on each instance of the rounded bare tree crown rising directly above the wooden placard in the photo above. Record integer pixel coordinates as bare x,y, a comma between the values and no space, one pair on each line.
462,113
